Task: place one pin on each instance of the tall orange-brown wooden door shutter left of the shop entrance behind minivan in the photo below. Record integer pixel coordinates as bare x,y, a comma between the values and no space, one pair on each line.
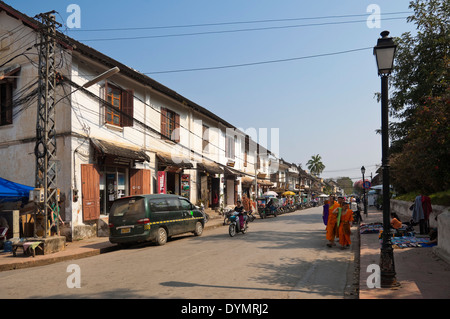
90,192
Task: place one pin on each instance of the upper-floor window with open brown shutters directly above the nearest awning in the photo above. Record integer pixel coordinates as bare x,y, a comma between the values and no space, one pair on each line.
119,106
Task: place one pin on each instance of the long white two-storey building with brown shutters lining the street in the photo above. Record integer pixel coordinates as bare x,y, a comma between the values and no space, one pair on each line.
123,136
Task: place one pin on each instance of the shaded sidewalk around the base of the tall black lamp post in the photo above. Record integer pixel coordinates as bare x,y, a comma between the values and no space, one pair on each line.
419,272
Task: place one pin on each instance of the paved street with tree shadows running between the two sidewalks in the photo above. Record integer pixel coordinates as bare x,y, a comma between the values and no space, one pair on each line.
282,258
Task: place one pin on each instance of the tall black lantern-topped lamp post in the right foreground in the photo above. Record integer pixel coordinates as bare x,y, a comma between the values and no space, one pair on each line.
384,52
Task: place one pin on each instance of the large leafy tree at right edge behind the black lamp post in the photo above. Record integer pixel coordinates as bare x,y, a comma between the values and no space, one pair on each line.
420,101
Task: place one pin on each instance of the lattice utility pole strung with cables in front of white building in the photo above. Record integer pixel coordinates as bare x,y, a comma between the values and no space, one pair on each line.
45,149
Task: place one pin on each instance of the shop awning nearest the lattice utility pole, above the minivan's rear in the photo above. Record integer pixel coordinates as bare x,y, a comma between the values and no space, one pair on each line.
120,151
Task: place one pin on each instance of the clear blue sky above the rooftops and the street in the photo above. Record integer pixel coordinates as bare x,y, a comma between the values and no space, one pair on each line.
323,105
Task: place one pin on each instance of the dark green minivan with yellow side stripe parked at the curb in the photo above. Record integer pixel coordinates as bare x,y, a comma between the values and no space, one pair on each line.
155,218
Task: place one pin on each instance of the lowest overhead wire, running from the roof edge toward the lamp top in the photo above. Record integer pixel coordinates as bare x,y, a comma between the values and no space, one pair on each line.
259,63
